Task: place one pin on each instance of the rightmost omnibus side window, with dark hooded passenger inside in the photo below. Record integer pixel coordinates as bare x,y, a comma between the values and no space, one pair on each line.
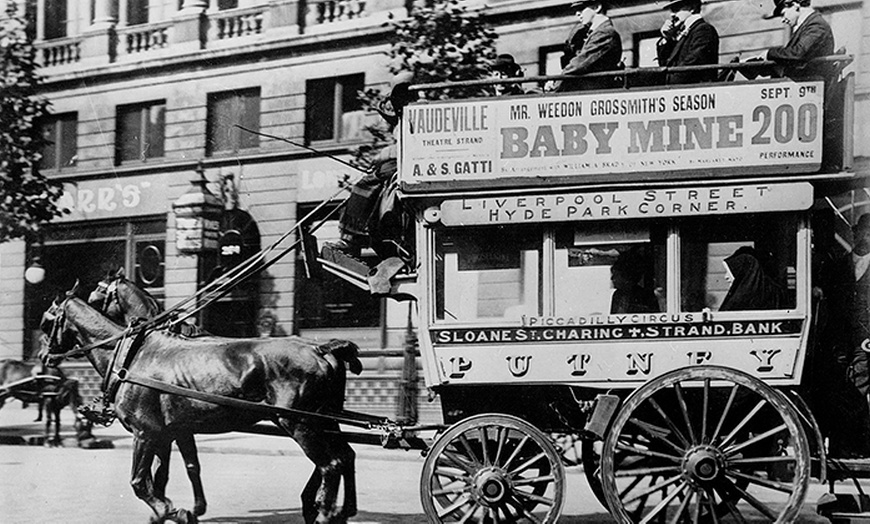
763,264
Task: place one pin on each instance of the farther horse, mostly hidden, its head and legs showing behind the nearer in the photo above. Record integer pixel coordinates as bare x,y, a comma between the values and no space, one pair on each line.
124,303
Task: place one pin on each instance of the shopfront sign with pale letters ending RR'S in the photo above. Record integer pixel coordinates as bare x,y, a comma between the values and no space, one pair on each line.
116,197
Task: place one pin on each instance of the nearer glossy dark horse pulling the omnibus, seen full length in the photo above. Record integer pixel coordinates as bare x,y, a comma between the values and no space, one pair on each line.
281,372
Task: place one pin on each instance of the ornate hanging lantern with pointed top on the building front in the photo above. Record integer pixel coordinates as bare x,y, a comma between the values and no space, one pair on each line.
197,217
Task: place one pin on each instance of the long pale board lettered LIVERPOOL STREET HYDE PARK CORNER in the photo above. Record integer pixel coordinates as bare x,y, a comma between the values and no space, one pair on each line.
641,203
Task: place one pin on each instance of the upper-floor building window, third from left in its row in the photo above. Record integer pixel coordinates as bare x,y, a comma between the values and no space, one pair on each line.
227,109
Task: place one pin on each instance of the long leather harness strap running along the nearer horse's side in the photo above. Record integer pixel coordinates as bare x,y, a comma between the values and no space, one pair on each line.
236,403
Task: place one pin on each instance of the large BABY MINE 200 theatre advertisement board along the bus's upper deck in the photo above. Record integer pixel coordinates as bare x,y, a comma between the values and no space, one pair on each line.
764,127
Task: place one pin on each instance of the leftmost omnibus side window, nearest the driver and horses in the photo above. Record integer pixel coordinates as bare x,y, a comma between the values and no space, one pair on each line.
487,273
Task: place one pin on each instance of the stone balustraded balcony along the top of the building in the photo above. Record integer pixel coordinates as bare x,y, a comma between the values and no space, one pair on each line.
112,43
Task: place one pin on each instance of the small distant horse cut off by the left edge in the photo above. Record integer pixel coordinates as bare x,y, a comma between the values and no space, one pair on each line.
50,395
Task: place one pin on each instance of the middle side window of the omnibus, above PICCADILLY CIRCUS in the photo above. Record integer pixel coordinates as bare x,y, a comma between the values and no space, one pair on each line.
608,268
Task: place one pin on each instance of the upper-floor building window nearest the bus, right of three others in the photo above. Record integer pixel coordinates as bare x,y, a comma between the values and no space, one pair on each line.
333,110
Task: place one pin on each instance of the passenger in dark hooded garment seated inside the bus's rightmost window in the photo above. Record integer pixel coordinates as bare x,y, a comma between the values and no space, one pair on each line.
751,287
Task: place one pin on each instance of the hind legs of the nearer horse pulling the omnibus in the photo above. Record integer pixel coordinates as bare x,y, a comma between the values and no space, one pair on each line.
329,468
